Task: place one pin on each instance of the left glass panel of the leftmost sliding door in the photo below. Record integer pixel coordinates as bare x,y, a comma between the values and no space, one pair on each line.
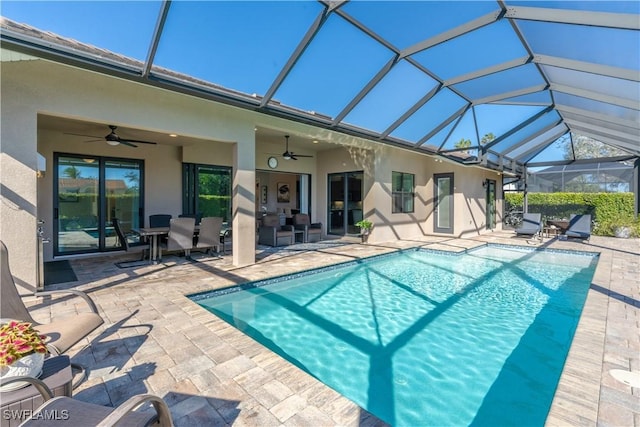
77,205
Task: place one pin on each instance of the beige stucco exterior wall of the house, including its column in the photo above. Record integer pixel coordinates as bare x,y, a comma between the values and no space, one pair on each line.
225,136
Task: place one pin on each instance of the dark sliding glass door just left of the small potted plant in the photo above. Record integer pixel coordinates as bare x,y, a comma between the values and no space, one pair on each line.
345,202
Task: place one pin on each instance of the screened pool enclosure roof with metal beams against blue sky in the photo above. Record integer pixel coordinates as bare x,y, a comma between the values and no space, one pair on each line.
503,84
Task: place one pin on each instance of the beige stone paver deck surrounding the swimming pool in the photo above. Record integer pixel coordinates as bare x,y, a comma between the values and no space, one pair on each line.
156,340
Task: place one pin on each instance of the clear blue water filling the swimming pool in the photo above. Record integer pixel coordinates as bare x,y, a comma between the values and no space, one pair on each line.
425,338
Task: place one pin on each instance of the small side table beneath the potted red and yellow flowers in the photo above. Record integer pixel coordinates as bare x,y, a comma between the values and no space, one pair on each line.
17,405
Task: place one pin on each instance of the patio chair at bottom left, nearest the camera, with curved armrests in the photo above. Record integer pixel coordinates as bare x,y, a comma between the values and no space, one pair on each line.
70,411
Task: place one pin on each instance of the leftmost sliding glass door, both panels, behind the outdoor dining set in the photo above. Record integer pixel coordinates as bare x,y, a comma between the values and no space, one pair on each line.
90,191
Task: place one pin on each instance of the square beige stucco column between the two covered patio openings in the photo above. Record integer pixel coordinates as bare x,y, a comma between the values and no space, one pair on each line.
243,203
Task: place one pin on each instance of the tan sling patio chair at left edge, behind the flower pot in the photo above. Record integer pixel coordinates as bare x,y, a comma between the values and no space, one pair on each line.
62,334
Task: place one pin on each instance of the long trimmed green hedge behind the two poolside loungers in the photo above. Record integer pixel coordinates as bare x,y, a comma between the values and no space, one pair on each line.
608,210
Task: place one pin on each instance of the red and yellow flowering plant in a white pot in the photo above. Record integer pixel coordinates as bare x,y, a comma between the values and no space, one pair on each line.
22,351
